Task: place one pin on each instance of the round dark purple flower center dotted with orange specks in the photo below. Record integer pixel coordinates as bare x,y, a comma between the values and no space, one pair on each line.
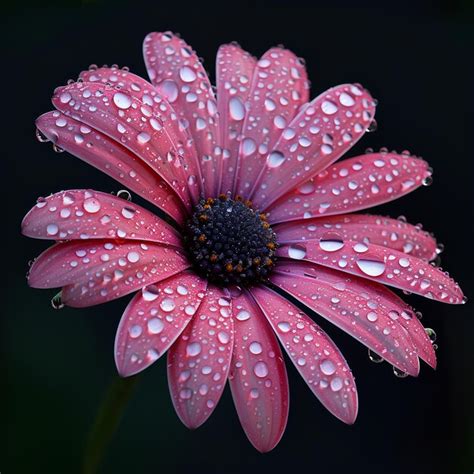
230,242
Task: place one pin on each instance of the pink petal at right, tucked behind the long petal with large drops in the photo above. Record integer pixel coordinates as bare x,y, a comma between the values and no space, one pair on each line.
396,234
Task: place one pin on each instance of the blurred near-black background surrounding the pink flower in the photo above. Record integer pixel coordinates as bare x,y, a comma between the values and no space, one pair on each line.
417,59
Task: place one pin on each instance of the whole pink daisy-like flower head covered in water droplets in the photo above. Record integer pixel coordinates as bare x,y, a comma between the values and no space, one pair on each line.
256,210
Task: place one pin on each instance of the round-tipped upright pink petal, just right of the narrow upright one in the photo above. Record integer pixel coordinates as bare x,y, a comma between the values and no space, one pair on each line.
279,88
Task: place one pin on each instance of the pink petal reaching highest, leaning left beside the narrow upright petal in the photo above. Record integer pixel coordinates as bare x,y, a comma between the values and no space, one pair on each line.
178,75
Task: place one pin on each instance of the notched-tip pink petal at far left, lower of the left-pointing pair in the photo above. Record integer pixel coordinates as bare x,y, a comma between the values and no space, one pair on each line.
95,271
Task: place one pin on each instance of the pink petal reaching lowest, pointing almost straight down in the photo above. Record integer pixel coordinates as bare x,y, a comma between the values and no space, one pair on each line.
257,376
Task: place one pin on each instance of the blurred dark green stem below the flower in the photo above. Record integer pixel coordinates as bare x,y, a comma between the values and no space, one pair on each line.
107,421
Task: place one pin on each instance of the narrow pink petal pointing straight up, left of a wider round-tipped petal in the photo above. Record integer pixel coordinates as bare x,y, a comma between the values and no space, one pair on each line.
234,72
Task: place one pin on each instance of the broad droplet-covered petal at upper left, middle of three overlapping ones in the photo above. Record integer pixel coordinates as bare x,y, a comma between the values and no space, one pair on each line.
149,127
